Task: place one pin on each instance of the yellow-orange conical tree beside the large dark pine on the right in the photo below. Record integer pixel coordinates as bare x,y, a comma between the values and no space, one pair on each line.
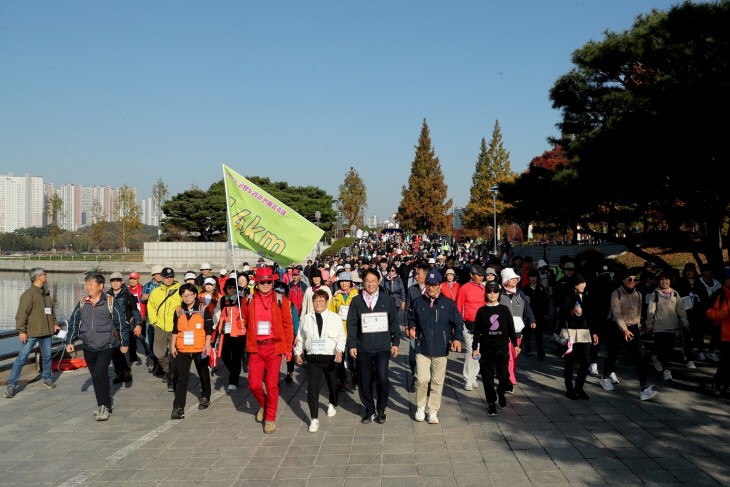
492,167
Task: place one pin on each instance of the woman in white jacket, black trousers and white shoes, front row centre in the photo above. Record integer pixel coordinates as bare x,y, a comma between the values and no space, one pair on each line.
322,335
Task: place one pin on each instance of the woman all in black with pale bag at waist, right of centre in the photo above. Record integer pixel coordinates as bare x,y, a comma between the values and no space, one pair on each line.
576,316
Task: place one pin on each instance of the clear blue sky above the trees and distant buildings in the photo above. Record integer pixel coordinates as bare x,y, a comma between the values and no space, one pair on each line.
102,92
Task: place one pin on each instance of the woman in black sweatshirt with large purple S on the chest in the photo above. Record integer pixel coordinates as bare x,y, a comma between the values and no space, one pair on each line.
494,330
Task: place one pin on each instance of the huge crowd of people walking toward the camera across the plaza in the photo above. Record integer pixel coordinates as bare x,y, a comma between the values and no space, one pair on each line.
343,319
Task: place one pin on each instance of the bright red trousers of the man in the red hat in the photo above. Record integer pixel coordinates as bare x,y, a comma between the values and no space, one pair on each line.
265,360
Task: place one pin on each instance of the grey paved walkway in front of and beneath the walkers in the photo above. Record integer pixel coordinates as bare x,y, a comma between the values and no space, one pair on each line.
542,438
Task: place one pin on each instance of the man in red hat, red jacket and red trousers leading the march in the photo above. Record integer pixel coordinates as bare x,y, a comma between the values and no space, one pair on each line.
270,335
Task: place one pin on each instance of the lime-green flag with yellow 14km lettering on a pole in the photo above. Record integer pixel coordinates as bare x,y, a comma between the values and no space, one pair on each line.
263,224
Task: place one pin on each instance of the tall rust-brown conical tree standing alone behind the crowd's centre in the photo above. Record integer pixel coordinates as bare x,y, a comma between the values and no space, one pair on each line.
423,207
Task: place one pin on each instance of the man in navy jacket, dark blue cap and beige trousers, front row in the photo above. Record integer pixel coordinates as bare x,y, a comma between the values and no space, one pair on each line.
433,317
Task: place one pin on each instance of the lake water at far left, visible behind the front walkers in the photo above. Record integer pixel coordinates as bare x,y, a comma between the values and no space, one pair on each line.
66,290
